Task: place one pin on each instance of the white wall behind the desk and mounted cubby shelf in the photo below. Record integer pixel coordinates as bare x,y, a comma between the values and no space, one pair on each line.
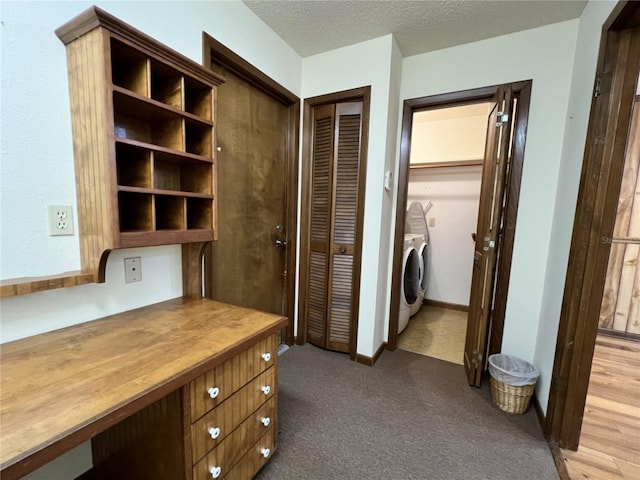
36,164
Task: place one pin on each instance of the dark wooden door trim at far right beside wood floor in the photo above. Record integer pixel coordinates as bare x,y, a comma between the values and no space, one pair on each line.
598,194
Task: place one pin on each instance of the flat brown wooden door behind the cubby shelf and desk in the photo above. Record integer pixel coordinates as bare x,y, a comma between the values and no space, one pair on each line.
247,265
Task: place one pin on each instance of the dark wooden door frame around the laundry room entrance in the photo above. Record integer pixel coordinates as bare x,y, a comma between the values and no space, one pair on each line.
520,89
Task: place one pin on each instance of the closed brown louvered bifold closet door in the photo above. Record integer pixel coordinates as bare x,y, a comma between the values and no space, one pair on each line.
334,219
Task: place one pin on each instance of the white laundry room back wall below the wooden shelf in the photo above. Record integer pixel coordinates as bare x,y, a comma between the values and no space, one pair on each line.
455,195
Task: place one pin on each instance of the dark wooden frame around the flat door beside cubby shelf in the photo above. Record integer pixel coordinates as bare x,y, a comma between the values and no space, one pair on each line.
211,48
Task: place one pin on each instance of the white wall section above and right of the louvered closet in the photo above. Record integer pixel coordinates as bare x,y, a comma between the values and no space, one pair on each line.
363,64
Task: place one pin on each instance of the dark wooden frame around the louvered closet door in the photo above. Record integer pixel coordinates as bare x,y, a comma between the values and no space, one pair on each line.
362,94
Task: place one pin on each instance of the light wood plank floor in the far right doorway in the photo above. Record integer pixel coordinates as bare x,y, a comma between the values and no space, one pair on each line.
610,439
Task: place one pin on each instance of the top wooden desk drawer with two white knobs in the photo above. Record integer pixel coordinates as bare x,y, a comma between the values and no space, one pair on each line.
213,387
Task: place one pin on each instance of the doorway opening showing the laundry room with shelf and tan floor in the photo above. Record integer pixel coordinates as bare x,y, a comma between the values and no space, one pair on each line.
443,195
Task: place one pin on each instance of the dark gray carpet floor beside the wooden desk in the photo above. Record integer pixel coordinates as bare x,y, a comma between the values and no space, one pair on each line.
408,417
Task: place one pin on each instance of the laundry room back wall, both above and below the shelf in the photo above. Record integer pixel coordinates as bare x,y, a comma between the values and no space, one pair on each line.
445,135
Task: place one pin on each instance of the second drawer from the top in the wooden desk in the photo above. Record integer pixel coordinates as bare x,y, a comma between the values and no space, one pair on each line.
213,427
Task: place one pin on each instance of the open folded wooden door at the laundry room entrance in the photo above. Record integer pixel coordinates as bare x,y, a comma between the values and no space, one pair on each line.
488,233
